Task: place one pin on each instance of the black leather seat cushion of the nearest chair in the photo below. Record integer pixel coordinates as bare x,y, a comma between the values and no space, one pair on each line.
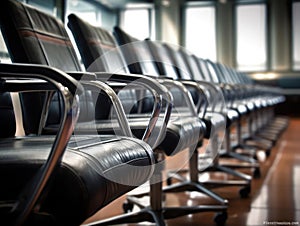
94,171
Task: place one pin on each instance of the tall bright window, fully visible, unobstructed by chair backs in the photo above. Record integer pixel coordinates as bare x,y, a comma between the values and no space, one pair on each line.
251,51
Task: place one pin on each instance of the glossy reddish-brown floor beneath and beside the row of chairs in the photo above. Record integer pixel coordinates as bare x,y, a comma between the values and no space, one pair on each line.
274,199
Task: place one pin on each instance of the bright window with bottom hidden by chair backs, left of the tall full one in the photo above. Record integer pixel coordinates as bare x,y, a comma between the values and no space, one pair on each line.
200,32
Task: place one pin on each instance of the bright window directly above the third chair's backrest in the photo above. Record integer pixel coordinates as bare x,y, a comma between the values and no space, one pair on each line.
138,22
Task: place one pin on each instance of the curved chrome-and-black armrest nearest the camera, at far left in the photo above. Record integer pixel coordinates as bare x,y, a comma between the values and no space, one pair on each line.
68,89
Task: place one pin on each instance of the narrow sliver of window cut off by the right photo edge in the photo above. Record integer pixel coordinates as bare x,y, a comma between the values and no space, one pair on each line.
296,35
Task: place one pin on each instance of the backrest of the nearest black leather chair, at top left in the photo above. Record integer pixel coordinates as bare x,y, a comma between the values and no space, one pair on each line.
33,36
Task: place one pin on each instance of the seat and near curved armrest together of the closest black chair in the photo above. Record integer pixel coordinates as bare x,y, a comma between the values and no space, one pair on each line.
61,179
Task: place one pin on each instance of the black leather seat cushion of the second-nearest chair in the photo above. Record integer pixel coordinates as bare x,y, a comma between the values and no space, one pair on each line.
182,132
